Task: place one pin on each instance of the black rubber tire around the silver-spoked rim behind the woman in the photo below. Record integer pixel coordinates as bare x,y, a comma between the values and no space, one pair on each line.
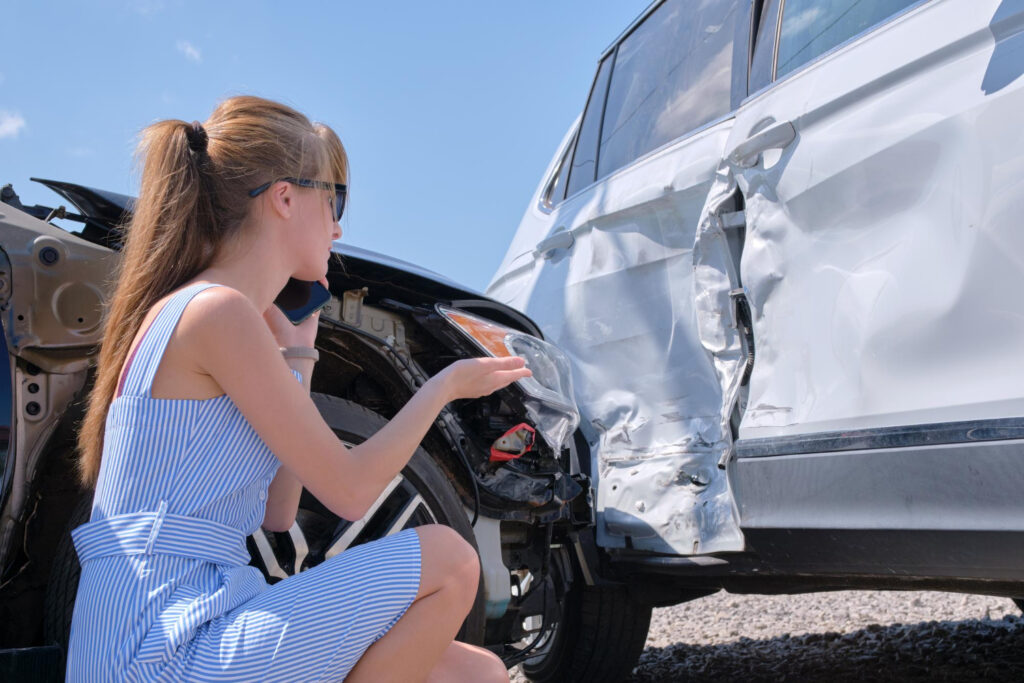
354,424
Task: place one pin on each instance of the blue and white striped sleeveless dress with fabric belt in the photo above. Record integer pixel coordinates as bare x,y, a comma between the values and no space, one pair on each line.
166,592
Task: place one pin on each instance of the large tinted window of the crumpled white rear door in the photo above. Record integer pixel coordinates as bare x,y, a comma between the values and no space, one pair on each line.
673,74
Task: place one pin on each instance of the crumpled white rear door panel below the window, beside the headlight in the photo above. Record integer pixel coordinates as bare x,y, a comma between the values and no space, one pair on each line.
619,302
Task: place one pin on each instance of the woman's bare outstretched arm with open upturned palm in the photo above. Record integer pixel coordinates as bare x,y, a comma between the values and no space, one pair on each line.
230,339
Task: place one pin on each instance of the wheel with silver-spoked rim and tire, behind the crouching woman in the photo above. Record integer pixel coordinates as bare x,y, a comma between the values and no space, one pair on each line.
421,494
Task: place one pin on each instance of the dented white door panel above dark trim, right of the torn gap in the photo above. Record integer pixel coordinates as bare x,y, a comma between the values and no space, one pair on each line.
881,250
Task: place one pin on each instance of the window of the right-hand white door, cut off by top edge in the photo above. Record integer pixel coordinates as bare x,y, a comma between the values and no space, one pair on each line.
812,28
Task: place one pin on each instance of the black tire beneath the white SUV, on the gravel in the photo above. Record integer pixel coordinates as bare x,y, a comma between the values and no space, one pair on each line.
600,638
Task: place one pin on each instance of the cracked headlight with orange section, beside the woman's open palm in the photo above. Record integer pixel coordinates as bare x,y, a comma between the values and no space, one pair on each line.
550,403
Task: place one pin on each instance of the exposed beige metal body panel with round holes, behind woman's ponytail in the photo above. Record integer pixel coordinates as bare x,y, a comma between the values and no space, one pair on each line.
52,288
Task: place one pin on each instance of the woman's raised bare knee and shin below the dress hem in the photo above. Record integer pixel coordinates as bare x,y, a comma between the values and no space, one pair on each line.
413,648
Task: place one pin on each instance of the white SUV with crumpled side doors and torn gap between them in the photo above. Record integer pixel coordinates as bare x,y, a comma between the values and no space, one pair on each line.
782,246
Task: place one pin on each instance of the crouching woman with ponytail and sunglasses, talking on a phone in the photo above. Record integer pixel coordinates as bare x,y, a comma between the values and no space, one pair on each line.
197,432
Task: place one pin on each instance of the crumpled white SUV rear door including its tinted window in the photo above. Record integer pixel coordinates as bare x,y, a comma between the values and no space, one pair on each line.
606,269
